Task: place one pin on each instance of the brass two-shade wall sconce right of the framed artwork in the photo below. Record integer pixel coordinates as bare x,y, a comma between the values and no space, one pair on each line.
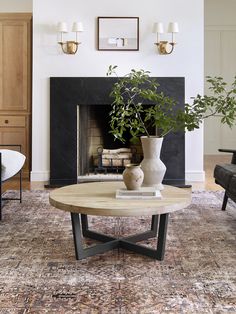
165,47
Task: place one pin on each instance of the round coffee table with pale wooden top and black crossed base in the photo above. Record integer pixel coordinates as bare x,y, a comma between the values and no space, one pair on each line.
99,199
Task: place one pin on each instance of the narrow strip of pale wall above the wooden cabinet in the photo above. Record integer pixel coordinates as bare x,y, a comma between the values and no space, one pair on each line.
16,6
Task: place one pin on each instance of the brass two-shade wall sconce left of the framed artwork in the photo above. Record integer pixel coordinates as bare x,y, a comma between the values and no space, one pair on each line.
69,47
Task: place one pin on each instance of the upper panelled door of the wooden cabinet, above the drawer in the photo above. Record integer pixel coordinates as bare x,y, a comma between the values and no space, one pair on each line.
14,65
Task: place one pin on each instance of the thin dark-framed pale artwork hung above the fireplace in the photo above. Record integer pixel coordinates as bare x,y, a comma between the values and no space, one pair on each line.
118,33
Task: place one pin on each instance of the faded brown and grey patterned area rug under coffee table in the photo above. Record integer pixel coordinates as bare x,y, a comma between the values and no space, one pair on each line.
39,273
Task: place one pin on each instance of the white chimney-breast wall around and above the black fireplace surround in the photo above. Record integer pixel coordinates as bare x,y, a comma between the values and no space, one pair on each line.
186,61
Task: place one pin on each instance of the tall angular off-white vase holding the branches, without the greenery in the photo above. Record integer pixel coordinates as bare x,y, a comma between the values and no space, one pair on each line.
152,166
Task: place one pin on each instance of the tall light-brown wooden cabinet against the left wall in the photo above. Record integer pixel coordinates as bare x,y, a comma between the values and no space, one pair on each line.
15,82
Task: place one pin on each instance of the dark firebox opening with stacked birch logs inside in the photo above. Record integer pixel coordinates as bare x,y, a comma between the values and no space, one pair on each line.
98,152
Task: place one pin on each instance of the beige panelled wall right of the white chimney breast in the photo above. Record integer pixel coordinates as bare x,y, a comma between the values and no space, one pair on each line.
220,47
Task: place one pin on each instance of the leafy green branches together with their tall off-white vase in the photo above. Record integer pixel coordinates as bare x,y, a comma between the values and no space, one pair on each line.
129,114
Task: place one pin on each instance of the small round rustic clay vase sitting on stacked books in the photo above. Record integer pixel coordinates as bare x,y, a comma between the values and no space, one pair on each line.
133,176
